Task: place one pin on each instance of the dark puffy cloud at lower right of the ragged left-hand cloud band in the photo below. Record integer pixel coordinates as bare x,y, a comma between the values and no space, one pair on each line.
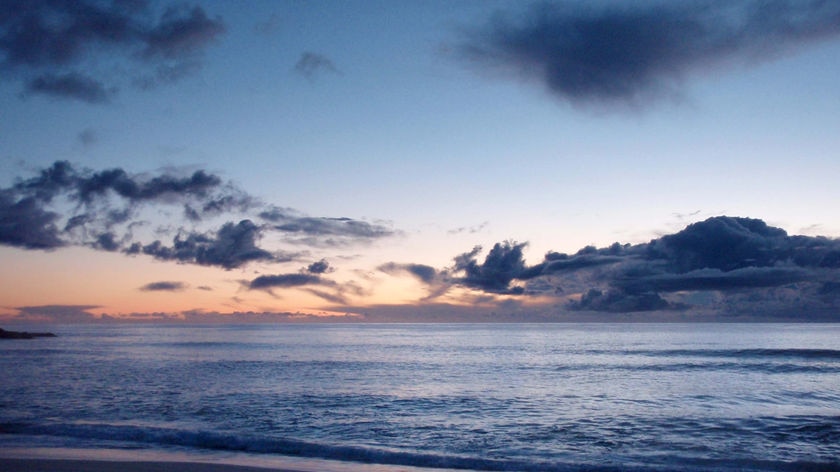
232,246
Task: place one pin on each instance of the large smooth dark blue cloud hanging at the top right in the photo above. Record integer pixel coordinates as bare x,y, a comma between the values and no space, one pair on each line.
628,54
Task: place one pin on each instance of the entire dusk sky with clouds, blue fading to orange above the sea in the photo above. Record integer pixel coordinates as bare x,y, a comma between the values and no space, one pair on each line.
419,160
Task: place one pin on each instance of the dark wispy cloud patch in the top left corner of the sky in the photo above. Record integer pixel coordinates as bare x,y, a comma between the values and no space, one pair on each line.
46,43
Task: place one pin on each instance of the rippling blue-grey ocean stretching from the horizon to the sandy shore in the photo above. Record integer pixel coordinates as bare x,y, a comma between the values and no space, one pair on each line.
529,397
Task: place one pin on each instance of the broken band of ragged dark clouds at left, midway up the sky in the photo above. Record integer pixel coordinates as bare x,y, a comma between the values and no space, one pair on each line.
67,206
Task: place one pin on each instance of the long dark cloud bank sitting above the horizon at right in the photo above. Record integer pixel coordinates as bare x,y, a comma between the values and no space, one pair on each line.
722,264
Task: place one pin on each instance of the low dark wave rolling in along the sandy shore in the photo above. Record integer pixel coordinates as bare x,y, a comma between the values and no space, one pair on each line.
228,442
